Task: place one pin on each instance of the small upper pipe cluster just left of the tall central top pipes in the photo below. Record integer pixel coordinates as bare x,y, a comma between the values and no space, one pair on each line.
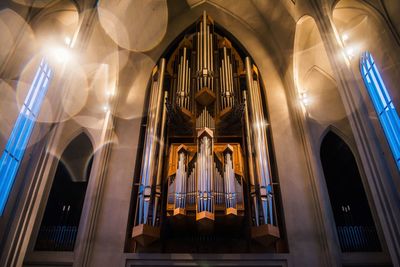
183,84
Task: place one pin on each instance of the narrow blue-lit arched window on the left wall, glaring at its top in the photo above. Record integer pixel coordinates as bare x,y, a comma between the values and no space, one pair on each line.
18,140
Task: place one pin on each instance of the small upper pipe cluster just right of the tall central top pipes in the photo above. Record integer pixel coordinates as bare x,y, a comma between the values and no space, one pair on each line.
226,81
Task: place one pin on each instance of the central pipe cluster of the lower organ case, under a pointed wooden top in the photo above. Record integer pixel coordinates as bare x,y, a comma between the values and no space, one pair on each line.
205,175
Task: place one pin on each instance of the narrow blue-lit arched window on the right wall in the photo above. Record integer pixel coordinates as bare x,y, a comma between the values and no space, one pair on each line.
383,104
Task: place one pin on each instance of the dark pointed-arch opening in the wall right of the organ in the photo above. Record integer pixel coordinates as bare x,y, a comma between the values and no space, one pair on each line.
355,226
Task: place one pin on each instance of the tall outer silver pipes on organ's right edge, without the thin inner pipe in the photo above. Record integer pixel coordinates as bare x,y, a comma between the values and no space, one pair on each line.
257,124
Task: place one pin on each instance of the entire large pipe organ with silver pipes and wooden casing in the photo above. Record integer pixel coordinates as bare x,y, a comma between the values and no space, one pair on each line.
205,162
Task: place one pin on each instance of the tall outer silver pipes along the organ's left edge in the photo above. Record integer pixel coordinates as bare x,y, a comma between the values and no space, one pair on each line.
149,163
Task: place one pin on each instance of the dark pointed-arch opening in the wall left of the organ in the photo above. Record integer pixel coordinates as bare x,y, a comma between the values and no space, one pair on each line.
60,222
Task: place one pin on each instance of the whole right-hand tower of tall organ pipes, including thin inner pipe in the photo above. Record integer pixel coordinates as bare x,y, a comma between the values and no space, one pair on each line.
257,136
